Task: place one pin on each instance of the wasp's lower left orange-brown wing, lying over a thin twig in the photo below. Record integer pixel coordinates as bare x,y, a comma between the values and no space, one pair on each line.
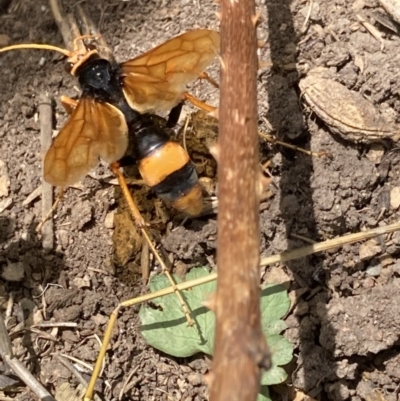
94,130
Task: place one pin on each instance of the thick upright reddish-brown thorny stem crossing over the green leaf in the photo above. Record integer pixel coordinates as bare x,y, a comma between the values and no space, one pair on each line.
240,347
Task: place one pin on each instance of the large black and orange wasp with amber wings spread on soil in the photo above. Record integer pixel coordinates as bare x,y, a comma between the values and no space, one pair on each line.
116,105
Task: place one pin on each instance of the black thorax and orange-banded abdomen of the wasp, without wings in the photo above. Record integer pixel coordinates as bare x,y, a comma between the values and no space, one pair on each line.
176,182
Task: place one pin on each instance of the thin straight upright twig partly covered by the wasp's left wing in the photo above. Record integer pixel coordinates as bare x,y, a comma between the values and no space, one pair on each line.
46,118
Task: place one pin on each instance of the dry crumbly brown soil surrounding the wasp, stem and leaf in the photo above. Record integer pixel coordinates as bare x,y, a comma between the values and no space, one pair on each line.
345,333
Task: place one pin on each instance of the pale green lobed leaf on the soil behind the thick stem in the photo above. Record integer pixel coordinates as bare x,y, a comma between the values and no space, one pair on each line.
165,326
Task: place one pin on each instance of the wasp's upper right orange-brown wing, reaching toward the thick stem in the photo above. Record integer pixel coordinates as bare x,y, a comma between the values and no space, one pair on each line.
156,80
